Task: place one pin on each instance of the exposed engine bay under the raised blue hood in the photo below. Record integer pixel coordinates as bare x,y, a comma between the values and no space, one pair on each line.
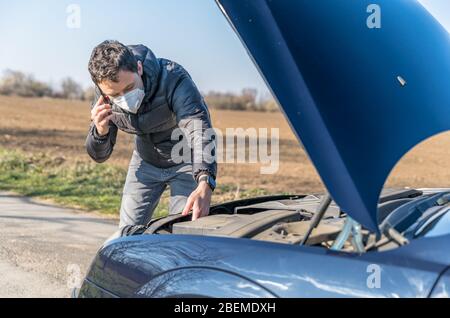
286,219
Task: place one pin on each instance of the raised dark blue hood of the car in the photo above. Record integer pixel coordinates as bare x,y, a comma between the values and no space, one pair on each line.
358,98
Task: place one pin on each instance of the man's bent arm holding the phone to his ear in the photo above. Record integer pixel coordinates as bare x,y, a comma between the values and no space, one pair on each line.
100,146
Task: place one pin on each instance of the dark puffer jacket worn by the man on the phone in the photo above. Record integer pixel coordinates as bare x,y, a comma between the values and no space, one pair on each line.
171,101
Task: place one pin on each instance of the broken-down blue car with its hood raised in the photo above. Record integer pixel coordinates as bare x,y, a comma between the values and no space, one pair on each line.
361,84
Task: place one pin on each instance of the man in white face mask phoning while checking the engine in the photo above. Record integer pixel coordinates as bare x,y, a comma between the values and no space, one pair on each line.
151,97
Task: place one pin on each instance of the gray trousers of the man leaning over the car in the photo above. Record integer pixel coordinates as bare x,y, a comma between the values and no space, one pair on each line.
144,186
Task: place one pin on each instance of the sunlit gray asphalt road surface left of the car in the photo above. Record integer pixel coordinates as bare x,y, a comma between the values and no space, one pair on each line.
45,250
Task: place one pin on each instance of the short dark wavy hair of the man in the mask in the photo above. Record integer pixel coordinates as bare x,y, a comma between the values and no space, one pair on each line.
108,59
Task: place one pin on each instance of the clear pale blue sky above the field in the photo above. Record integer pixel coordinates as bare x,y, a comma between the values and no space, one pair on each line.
34,38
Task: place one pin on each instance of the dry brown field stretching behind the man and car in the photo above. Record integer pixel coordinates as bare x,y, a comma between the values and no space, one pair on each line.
59,128
